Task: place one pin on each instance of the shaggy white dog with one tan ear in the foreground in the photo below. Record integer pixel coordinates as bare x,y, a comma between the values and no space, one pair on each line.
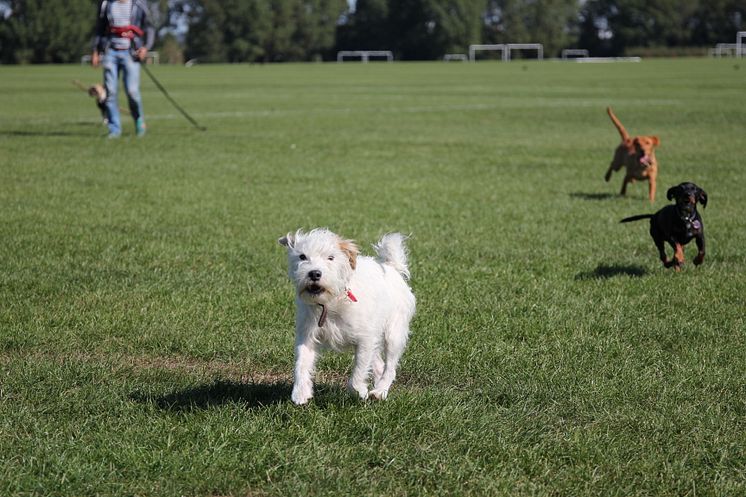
344,301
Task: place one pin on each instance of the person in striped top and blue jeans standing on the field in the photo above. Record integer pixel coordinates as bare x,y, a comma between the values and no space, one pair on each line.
124,34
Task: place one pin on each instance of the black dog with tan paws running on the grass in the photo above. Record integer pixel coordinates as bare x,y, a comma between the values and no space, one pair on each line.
678,224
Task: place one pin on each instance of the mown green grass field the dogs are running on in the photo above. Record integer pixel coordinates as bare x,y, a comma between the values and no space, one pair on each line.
146,319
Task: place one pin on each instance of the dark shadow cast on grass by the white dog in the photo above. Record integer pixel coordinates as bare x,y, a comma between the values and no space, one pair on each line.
220,392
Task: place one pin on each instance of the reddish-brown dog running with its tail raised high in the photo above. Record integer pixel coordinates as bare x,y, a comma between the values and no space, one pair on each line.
637,155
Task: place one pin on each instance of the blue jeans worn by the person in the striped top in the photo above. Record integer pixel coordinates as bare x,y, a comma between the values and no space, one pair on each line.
114,62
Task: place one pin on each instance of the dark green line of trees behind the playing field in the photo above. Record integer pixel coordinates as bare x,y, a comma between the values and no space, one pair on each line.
43,31
